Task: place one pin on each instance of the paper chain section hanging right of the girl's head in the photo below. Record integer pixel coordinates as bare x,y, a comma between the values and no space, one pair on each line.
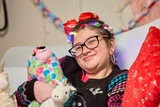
134,22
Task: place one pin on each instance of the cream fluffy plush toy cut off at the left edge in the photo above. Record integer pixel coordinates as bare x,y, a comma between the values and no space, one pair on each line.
5,99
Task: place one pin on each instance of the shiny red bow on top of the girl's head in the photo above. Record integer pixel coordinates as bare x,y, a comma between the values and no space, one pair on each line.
69,25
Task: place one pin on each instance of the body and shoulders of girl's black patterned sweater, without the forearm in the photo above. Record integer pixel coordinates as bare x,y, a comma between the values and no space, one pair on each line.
106,92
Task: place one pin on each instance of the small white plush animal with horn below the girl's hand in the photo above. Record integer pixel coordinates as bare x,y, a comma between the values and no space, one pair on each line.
59,96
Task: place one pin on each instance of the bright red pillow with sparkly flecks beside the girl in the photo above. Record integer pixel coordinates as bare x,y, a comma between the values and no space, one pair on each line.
143,82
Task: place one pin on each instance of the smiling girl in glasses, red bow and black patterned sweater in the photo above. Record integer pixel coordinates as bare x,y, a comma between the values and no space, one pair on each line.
91,68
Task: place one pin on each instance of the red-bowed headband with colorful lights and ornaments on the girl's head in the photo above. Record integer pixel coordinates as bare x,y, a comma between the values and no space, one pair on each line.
69,25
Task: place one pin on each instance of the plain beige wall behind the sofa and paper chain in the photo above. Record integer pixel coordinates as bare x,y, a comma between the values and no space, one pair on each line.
27,26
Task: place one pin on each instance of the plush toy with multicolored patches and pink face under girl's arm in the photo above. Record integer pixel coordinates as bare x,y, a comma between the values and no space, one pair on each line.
44,66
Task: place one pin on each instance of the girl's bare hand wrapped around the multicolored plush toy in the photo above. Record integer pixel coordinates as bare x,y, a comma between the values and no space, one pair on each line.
42,91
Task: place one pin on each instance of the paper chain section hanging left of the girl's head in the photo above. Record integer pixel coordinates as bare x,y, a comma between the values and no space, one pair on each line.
46,13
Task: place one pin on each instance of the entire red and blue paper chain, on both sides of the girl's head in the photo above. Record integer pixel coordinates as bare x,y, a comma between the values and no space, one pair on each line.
131,24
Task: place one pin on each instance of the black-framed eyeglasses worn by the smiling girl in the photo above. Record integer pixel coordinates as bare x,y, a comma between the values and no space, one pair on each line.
90,43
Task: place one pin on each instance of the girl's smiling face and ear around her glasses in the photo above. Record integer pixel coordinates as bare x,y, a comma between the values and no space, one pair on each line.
97,59
